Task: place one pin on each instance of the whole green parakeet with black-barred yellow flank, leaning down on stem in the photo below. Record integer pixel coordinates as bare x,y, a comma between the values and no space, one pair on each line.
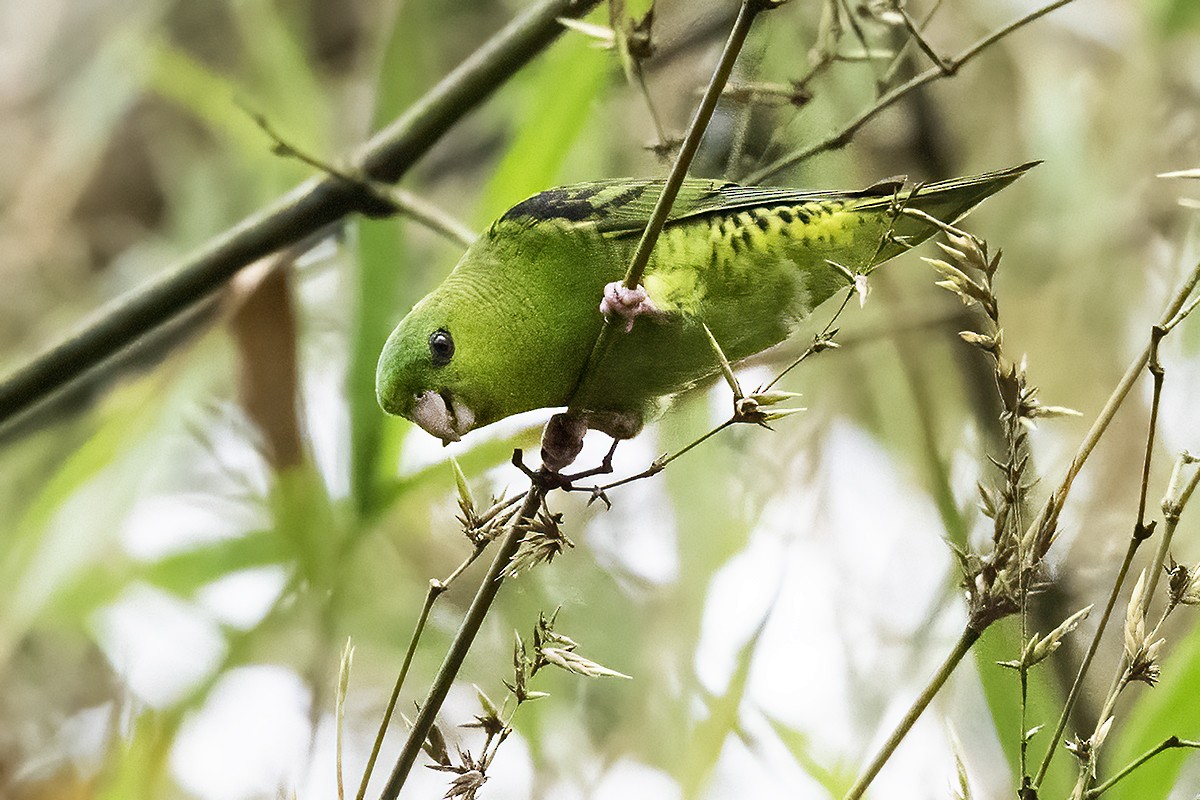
513,326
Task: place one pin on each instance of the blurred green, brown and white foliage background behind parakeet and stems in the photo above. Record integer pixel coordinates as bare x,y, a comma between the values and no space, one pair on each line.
189,538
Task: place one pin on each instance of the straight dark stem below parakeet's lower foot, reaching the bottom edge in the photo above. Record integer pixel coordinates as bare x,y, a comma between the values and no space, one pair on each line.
461,645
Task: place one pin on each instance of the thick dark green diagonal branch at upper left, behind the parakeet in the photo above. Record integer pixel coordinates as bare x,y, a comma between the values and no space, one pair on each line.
307,209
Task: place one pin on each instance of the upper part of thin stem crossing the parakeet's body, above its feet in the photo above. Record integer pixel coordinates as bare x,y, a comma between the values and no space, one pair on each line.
700,121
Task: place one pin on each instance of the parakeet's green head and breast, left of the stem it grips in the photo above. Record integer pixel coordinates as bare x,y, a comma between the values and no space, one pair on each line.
496,339
